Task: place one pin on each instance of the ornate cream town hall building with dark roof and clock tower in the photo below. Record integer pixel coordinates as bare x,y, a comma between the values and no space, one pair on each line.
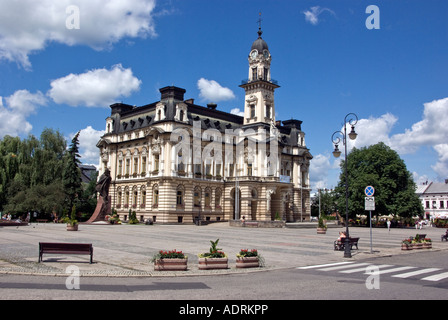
174,161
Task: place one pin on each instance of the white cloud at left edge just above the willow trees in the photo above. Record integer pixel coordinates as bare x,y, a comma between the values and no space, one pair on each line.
19,106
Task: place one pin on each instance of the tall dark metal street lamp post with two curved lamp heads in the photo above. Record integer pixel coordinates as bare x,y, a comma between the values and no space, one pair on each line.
351,119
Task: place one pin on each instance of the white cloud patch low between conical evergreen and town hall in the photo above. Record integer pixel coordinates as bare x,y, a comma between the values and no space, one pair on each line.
88,138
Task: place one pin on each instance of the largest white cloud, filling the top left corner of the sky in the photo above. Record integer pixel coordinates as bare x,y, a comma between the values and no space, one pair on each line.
27,26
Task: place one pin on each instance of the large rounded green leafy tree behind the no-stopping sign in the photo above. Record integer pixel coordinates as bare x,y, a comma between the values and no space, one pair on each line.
382,168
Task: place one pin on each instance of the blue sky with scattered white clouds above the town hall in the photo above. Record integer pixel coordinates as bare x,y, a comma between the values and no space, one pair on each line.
327,62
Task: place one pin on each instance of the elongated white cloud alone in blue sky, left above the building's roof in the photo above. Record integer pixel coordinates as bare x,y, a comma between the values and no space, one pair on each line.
94,88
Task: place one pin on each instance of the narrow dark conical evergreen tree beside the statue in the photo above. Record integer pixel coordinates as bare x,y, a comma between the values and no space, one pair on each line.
71,177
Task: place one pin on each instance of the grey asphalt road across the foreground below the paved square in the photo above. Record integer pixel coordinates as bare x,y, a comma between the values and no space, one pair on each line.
284,284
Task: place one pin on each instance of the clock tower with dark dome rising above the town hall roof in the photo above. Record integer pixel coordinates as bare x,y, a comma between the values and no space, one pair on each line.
259,87
